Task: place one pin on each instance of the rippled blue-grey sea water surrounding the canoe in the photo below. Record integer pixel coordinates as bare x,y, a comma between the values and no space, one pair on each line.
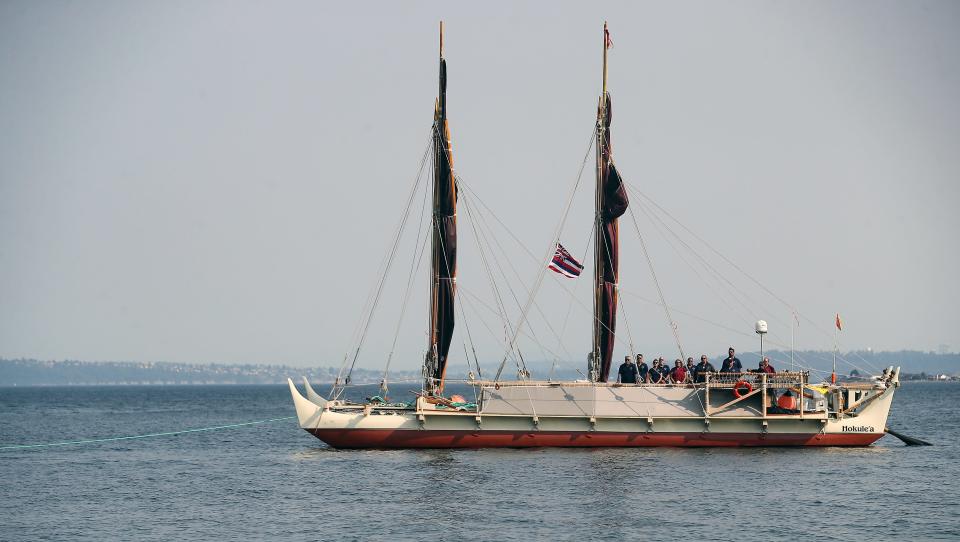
275,481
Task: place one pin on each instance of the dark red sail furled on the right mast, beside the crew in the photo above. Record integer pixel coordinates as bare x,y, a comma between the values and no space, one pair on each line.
612,202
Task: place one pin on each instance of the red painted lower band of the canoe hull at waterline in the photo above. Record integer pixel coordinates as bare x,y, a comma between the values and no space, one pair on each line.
412,438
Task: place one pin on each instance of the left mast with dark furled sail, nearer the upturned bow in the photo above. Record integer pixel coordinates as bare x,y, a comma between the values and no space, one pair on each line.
444,243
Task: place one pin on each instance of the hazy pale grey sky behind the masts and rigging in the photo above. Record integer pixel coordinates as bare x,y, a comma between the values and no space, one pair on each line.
221,181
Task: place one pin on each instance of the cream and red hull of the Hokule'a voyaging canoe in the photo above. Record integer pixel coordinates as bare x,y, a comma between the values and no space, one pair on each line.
577,416
